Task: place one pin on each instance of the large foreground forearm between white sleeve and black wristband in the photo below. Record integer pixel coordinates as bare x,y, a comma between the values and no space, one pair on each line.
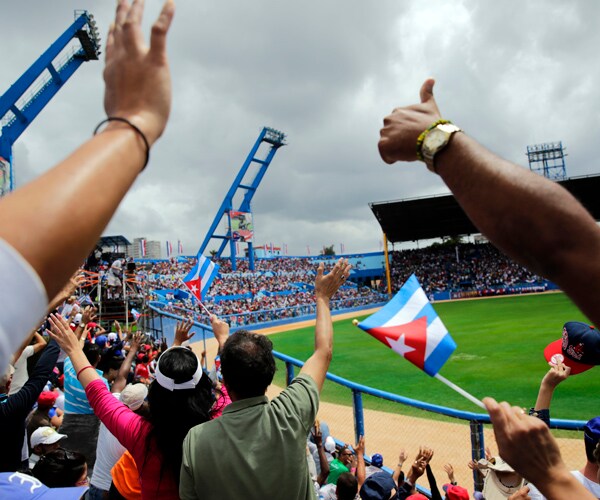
85,189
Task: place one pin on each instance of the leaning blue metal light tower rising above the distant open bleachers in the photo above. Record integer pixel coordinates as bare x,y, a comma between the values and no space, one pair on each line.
244,186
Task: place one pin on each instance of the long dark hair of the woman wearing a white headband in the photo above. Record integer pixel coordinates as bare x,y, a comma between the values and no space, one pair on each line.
174,413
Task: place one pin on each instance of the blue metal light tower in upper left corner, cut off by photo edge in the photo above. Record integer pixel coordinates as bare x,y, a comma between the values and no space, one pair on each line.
24,100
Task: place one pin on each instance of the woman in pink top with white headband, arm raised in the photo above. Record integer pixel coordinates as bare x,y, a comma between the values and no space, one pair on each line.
179,398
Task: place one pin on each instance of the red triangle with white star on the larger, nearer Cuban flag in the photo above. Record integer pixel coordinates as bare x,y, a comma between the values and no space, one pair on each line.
408,340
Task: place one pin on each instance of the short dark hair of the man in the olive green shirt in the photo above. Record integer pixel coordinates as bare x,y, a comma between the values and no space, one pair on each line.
247,364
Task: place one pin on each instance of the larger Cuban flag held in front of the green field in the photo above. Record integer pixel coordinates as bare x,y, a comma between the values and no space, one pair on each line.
409,325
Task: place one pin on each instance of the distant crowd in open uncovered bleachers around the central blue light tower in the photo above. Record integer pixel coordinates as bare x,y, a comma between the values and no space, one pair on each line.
278,288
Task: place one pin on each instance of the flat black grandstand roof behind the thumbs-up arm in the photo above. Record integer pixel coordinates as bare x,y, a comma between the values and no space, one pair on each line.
437,216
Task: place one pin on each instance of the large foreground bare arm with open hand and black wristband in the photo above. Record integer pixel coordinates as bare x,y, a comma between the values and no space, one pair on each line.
138,88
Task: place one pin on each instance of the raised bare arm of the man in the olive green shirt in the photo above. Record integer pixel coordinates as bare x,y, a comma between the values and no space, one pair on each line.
325,287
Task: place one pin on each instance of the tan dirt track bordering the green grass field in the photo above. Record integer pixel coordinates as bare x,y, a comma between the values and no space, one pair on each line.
388,433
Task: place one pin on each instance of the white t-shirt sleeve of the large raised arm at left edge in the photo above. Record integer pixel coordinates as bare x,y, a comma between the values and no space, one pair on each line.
23,300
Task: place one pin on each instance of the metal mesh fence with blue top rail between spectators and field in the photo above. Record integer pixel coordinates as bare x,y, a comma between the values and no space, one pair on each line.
390,422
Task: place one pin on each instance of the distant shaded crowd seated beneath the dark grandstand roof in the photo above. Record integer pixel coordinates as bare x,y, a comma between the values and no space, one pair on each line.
461,267
